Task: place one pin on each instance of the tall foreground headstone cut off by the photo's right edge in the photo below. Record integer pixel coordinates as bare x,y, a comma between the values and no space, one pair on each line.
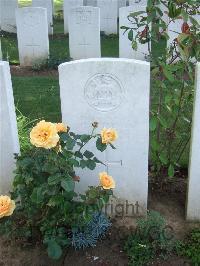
193,196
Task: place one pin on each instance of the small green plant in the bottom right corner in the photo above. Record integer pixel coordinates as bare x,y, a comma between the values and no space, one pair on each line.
190,248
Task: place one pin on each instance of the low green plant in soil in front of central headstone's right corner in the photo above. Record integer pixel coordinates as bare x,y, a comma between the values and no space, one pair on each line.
152,239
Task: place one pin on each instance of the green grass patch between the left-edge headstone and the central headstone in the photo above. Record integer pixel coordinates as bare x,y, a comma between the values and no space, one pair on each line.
37,97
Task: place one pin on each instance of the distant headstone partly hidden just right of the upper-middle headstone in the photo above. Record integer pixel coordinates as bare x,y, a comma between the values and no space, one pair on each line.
108,15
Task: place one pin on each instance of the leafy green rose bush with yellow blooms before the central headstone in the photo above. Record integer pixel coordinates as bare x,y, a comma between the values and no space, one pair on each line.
47,207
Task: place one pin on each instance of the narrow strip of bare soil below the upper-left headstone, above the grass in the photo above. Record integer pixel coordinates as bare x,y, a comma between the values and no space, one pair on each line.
29,72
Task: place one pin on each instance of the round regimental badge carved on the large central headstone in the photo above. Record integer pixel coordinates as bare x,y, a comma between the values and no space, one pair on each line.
104,92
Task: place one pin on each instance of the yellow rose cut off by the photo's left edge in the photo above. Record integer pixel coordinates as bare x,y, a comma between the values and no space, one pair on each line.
7,206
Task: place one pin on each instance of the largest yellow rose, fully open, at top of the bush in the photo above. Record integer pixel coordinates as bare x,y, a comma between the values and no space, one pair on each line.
44,135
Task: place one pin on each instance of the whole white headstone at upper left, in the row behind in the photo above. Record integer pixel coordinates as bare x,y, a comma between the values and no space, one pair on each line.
32,35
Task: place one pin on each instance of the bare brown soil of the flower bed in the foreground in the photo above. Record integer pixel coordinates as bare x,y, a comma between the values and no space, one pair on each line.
109,251
